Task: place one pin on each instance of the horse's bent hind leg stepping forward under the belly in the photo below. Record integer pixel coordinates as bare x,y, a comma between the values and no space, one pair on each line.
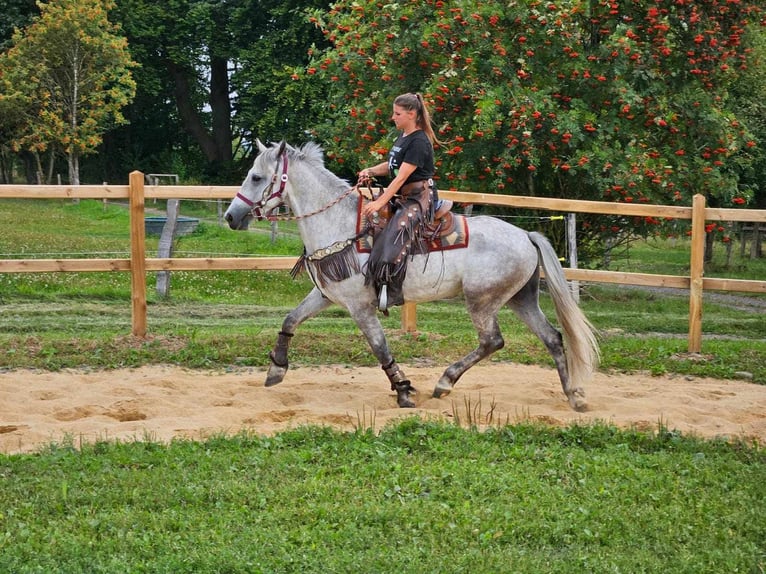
484,317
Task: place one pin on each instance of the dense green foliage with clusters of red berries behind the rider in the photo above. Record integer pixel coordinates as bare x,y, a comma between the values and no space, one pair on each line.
588,99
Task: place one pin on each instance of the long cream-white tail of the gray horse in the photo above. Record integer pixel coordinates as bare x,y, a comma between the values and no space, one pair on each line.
582,350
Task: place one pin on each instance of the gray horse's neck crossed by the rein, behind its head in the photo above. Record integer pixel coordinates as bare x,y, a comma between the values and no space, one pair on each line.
325,225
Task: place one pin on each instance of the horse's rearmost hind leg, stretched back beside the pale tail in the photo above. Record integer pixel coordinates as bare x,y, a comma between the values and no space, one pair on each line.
526,305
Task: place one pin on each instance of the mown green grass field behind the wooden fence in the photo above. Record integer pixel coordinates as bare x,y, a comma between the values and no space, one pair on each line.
218,319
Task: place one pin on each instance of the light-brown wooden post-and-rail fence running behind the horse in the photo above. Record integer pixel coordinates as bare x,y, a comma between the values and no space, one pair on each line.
136,192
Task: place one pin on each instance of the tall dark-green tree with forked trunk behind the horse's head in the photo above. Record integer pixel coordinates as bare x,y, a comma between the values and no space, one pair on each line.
226,69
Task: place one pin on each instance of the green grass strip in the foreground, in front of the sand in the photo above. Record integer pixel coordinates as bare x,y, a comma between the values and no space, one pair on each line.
416,497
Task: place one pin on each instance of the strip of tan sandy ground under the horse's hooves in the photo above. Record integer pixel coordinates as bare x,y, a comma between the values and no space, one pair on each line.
162,403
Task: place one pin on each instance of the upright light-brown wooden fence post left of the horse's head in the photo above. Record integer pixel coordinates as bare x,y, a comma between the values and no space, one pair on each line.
137,253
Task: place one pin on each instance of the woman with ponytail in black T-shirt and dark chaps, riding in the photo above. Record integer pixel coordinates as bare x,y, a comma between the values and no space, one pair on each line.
410,166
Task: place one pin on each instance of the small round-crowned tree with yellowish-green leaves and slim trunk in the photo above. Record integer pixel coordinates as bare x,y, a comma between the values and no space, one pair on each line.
70,71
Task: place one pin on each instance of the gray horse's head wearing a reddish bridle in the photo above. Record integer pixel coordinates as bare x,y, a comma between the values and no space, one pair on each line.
262,190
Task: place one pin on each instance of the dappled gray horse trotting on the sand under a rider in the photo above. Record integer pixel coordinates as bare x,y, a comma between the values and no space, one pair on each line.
500,266
